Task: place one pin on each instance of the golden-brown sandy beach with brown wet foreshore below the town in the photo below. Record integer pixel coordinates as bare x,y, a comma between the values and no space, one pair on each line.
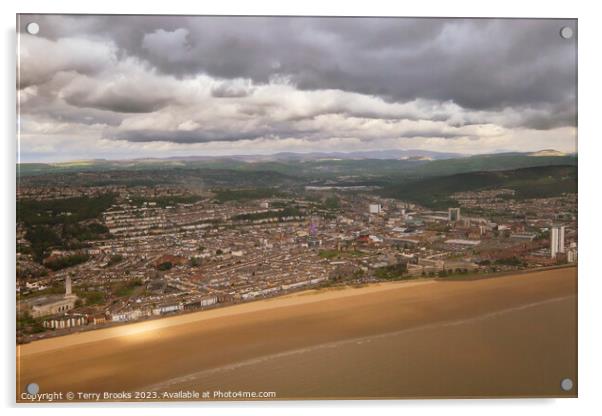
506,336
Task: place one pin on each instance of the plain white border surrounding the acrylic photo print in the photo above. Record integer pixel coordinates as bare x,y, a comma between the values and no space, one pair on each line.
590,212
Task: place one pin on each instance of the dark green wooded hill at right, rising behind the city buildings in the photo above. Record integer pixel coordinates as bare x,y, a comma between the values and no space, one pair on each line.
532,182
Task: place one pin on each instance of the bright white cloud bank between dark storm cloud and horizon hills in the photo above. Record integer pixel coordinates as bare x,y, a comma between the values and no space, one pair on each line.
90,99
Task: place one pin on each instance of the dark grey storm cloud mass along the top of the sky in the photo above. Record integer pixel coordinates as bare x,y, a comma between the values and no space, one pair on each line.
486,63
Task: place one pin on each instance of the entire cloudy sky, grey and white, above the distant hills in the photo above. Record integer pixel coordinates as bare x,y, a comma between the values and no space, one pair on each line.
121,87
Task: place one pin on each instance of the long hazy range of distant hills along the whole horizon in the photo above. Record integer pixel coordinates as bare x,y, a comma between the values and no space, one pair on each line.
367,165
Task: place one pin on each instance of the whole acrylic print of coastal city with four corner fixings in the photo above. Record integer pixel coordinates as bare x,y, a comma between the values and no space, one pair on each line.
274,208
